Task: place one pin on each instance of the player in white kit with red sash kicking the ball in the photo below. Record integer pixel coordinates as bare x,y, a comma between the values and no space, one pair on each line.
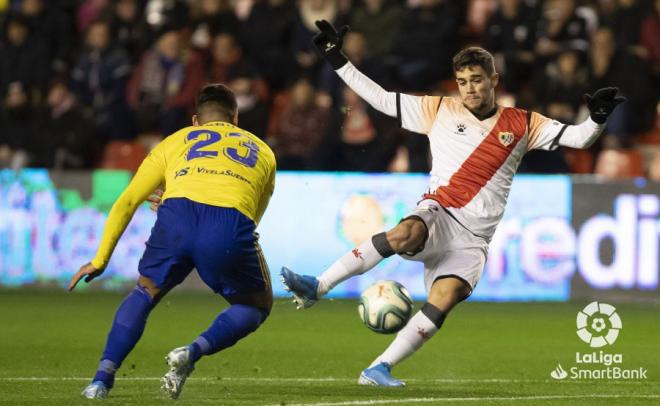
476,147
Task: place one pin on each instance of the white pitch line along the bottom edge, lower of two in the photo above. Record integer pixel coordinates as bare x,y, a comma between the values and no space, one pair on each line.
475,399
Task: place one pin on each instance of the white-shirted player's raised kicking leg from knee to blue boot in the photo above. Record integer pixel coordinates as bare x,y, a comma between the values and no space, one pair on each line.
407,237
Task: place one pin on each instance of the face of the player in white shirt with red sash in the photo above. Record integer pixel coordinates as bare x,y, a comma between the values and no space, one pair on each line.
476,88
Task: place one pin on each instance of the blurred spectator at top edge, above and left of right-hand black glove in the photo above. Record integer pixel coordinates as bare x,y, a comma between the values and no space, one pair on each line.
560,29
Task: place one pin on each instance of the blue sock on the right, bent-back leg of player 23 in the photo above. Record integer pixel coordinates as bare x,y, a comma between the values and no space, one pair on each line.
236,322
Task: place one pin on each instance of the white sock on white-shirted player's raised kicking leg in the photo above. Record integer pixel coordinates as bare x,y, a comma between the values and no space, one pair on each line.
355,262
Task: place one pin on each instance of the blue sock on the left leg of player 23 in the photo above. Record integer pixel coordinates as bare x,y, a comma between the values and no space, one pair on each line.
127,328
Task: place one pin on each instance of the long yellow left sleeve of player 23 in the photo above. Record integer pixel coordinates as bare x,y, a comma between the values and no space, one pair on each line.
146,180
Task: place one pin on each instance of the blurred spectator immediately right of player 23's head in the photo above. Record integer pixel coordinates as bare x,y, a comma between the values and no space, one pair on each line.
252,111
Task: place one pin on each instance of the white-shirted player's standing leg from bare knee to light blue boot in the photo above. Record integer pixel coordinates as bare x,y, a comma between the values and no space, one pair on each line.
445,293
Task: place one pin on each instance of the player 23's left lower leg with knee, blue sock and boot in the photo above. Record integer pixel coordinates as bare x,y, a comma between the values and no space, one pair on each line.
127,328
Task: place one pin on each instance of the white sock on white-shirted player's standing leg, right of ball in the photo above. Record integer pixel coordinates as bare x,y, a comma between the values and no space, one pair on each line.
410,339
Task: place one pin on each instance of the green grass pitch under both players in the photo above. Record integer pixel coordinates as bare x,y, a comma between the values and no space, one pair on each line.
487,353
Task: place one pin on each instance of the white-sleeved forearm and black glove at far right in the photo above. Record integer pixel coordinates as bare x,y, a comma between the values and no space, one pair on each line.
601,104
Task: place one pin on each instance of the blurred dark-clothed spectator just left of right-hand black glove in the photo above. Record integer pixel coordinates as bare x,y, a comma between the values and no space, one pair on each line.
561,86
